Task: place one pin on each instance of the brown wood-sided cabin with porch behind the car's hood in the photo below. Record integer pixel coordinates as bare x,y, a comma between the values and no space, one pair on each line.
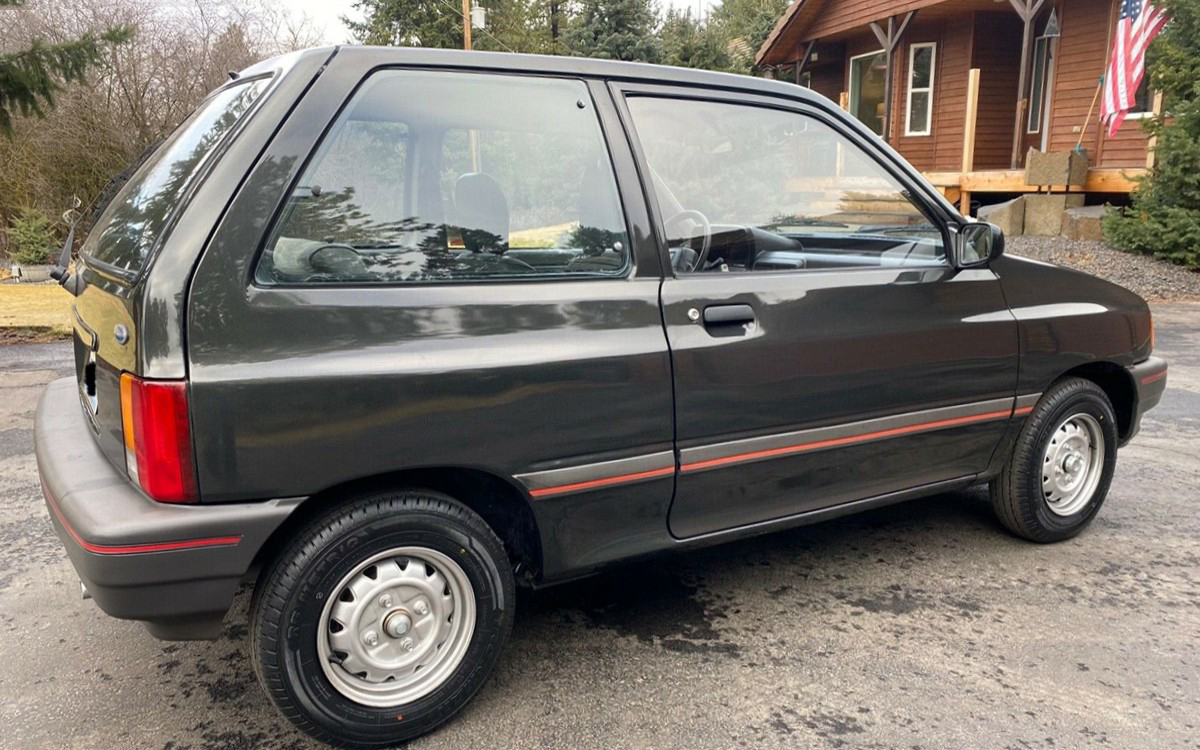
965,88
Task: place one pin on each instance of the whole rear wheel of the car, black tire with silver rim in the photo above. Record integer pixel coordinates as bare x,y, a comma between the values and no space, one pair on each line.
383,619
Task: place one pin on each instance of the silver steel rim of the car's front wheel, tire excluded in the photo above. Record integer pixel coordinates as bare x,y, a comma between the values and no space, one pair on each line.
1073,464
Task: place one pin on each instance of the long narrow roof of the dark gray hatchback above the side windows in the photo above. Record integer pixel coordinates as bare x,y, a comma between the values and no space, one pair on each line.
591,68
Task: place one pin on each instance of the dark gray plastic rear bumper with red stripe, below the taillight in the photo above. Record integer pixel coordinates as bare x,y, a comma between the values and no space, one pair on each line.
175,567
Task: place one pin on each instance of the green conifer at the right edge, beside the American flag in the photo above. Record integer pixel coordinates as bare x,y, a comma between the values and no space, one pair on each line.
1165,217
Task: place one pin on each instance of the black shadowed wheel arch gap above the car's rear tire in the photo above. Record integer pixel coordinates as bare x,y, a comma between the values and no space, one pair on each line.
497,501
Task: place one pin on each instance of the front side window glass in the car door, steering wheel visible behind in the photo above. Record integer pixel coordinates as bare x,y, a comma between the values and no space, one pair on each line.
751,189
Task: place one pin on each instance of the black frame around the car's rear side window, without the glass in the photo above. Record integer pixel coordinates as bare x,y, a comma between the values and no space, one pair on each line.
319,147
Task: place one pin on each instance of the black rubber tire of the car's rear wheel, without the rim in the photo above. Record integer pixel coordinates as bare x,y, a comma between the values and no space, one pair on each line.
290,598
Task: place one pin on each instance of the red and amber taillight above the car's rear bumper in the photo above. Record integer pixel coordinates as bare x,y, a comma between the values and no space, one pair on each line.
159,439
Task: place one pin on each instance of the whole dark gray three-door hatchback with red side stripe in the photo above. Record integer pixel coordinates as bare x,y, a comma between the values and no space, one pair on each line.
391,333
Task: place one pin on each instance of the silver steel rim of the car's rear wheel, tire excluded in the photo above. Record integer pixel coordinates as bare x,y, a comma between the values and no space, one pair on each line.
398,627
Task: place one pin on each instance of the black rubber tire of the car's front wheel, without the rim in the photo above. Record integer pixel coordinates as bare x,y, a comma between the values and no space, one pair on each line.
1017,495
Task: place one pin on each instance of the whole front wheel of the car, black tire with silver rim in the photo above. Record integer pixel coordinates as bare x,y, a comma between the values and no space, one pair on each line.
1063,464
